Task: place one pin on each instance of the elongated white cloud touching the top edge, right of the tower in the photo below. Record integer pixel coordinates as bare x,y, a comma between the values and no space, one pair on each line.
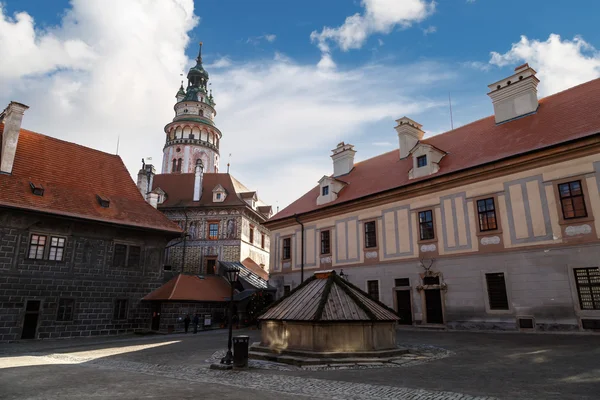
379,16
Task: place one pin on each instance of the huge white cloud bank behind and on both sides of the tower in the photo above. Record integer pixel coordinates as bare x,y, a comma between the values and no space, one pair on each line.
279,119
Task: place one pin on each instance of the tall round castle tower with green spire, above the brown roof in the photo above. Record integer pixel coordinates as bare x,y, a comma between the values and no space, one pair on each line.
192,135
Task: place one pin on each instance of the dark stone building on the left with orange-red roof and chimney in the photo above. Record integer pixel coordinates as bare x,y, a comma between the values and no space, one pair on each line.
79,246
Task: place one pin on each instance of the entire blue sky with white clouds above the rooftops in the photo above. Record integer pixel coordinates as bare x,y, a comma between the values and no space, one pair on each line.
290,79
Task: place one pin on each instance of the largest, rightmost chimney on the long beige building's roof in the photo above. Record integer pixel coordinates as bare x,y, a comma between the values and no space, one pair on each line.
516,95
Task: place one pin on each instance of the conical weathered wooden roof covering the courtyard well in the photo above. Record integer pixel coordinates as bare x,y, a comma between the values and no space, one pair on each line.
328,297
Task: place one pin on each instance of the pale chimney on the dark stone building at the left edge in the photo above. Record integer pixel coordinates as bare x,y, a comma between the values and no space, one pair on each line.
12,117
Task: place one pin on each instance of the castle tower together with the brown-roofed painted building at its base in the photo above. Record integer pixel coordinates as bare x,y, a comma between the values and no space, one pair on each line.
223,219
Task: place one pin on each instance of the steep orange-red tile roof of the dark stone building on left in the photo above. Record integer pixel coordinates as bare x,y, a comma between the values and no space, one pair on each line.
72,176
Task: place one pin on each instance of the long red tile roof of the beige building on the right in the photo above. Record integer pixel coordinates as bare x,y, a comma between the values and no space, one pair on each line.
568,115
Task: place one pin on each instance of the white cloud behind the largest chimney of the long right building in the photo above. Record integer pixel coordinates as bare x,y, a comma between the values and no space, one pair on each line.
560,63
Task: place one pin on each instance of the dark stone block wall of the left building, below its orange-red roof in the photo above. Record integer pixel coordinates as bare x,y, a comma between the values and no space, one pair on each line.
86,275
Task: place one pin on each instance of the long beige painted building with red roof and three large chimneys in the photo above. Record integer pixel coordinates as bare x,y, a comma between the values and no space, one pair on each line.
491,225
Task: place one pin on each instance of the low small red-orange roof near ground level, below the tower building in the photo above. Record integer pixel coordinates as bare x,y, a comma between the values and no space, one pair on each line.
192,288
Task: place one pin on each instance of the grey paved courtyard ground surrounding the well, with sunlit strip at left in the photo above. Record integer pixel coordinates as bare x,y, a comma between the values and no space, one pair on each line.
481,365
